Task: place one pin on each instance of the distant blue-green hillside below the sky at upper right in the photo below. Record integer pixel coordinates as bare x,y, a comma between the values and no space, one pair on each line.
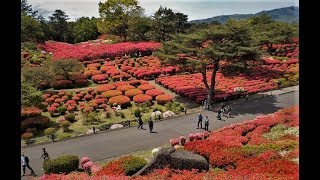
287,14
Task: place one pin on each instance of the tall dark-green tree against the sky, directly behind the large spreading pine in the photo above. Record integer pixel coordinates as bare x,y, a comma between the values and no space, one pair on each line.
166,22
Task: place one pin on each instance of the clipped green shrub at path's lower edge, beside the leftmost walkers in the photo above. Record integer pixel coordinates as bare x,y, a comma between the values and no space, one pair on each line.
62,164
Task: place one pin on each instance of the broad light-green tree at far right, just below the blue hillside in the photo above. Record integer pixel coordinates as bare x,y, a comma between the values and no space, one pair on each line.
268,32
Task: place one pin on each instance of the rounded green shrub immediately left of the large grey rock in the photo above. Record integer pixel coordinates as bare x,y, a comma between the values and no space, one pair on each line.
133,165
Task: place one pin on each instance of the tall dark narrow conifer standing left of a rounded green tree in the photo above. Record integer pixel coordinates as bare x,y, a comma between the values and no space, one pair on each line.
59,25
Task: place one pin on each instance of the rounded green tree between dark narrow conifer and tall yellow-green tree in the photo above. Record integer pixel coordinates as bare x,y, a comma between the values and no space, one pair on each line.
85,29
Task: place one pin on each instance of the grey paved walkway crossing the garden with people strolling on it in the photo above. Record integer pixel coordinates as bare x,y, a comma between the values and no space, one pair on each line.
110,144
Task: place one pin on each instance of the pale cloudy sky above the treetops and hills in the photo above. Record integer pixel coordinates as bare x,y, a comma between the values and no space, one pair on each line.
195,9
